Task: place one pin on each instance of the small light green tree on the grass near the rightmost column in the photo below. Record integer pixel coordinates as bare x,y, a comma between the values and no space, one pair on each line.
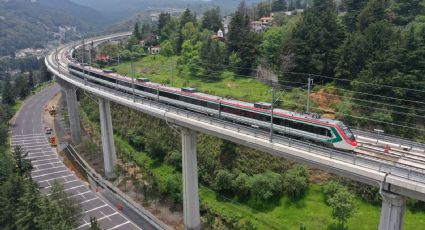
342,204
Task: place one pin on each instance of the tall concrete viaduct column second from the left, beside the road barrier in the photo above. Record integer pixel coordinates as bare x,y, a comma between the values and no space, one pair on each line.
108,145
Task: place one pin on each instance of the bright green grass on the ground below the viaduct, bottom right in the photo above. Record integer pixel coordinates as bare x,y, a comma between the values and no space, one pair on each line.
311,211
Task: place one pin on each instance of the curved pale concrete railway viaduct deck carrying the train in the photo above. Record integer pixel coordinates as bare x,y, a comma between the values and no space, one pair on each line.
404,178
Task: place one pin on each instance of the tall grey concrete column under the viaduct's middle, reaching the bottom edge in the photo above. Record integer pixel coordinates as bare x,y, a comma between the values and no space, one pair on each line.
192,220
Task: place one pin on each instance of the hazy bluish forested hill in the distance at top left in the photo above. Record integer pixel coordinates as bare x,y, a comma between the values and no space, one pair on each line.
34,23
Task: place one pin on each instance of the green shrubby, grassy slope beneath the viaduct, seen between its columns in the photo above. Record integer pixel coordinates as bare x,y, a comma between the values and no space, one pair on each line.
240,188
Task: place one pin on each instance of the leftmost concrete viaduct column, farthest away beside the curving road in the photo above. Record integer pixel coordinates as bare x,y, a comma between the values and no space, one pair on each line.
74,115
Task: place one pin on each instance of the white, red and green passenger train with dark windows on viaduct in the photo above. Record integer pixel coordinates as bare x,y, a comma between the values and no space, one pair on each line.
326,132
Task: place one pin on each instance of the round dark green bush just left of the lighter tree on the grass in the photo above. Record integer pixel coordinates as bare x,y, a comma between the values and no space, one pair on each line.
295,182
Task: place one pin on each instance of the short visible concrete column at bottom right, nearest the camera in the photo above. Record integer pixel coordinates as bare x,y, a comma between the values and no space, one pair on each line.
392,211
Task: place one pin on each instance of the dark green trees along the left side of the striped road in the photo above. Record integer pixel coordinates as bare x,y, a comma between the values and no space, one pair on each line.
22,206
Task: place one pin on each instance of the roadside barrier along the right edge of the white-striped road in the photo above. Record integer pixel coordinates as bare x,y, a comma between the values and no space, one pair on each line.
93,175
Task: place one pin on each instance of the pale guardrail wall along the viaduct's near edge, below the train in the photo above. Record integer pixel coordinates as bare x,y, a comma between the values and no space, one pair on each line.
393,168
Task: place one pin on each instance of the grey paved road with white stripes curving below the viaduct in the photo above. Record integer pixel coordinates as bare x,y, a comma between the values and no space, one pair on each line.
48,167
